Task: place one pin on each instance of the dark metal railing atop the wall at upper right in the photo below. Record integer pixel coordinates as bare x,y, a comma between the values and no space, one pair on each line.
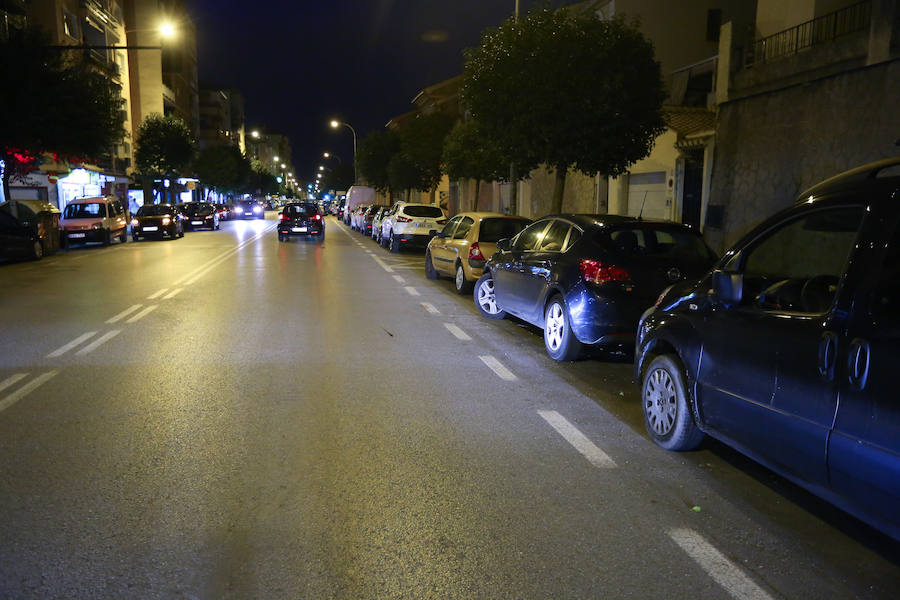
822,29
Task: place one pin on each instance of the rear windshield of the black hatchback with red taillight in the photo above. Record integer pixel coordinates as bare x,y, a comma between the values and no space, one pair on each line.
649,241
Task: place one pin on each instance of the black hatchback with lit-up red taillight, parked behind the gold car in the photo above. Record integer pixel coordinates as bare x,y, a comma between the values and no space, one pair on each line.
586,279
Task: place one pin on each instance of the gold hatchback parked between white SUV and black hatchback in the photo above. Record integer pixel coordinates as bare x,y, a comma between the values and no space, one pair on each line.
466,242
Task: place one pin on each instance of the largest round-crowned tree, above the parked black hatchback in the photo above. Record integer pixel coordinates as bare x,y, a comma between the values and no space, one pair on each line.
567,90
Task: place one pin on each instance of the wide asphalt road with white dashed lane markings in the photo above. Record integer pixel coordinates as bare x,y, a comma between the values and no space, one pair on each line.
227,416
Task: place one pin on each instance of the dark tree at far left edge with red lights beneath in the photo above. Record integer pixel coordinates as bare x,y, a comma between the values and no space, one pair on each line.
51,101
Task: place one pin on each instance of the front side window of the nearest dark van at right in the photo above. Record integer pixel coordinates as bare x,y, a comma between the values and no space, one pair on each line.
797,267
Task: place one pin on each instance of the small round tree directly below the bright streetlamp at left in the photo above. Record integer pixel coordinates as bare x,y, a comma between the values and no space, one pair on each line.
164,149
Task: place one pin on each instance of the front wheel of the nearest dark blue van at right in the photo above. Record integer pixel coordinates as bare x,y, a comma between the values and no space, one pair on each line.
666,404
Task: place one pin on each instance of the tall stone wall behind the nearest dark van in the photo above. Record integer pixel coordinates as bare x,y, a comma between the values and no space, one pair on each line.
772,146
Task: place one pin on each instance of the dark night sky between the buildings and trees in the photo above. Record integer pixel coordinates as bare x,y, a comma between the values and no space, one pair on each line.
301,63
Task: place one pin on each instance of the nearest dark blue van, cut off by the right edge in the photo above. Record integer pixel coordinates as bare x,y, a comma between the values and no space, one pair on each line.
787,349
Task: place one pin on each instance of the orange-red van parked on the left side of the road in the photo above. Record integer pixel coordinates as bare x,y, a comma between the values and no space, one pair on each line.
94,219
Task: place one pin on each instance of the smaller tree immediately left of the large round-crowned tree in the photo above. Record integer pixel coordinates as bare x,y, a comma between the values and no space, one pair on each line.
469,154
